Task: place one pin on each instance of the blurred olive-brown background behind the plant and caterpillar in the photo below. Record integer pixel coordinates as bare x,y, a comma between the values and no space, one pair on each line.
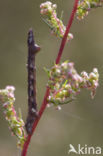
80,122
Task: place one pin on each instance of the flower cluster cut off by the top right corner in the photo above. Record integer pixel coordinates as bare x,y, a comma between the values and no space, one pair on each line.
85,6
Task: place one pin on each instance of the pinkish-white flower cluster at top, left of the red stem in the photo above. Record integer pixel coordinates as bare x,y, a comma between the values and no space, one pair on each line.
56,25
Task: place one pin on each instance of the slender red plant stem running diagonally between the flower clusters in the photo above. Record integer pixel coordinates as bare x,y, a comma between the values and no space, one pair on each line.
44,103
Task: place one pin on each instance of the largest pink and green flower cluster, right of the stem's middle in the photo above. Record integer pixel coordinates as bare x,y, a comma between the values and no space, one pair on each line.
65,83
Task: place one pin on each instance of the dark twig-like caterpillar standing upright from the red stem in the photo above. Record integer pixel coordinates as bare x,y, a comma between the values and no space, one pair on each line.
32,104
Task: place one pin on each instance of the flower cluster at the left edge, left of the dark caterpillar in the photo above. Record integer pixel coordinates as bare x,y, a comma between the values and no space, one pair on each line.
16,124
